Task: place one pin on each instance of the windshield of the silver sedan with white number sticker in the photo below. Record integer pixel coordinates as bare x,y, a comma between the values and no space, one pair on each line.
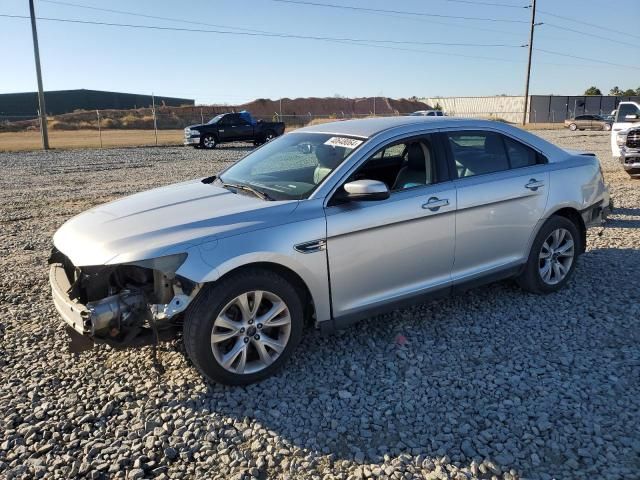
292,166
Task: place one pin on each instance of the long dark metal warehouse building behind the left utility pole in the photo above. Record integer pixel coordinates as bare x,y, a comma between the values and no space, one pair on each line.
66,101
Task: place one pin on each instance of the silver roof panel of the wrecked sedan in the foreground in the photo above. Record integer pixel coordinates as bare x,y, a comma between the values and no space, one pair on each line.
369,127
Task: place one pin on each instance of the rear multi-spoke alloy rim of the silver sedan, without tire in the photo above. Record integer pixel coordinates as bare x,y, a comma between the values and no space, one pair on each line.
556,256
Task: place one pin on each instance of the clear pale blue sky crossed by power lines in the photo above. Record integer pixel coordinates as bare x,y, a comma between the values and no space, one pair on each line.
227,68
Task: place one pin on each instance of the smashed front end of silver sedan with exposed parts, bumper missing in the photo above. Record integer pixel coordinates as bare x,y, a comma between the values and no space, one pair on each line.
125,305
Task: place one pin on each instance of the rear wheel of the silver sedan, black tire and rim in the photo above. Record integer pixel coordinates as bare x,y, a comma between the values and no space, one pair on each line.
553,257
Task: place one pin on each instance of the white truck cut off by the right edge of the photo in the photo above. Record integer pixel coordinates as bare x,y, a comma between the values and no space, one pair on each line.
625,137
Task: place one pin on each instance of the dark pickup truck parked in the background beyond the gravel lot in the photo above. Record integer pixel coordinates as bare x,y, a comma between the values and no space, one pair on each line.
232,127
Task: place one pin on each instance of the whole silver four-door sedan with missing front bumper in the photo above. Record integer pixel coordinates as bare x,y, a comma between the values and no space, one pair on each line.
326,225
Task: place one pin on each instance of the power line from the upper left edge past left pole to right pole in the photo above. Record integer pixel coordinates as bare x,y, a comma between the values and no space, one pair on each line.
354,41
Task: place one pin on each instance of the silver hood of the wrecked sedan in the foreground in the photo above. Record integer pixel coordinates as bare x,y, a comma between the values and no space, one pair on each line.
162,221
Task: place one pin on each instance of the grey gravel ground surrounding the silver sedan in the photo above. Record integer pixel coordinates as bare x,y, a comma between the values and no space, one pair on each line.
493,384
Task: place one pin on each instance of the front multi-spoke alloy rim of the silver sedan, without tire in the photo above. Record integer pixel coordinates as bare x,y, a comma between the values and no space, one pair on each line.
251,332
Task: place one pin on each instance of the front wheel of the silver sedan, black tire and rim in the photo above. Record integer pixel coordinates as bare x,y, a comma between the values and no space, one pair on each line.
244,328
